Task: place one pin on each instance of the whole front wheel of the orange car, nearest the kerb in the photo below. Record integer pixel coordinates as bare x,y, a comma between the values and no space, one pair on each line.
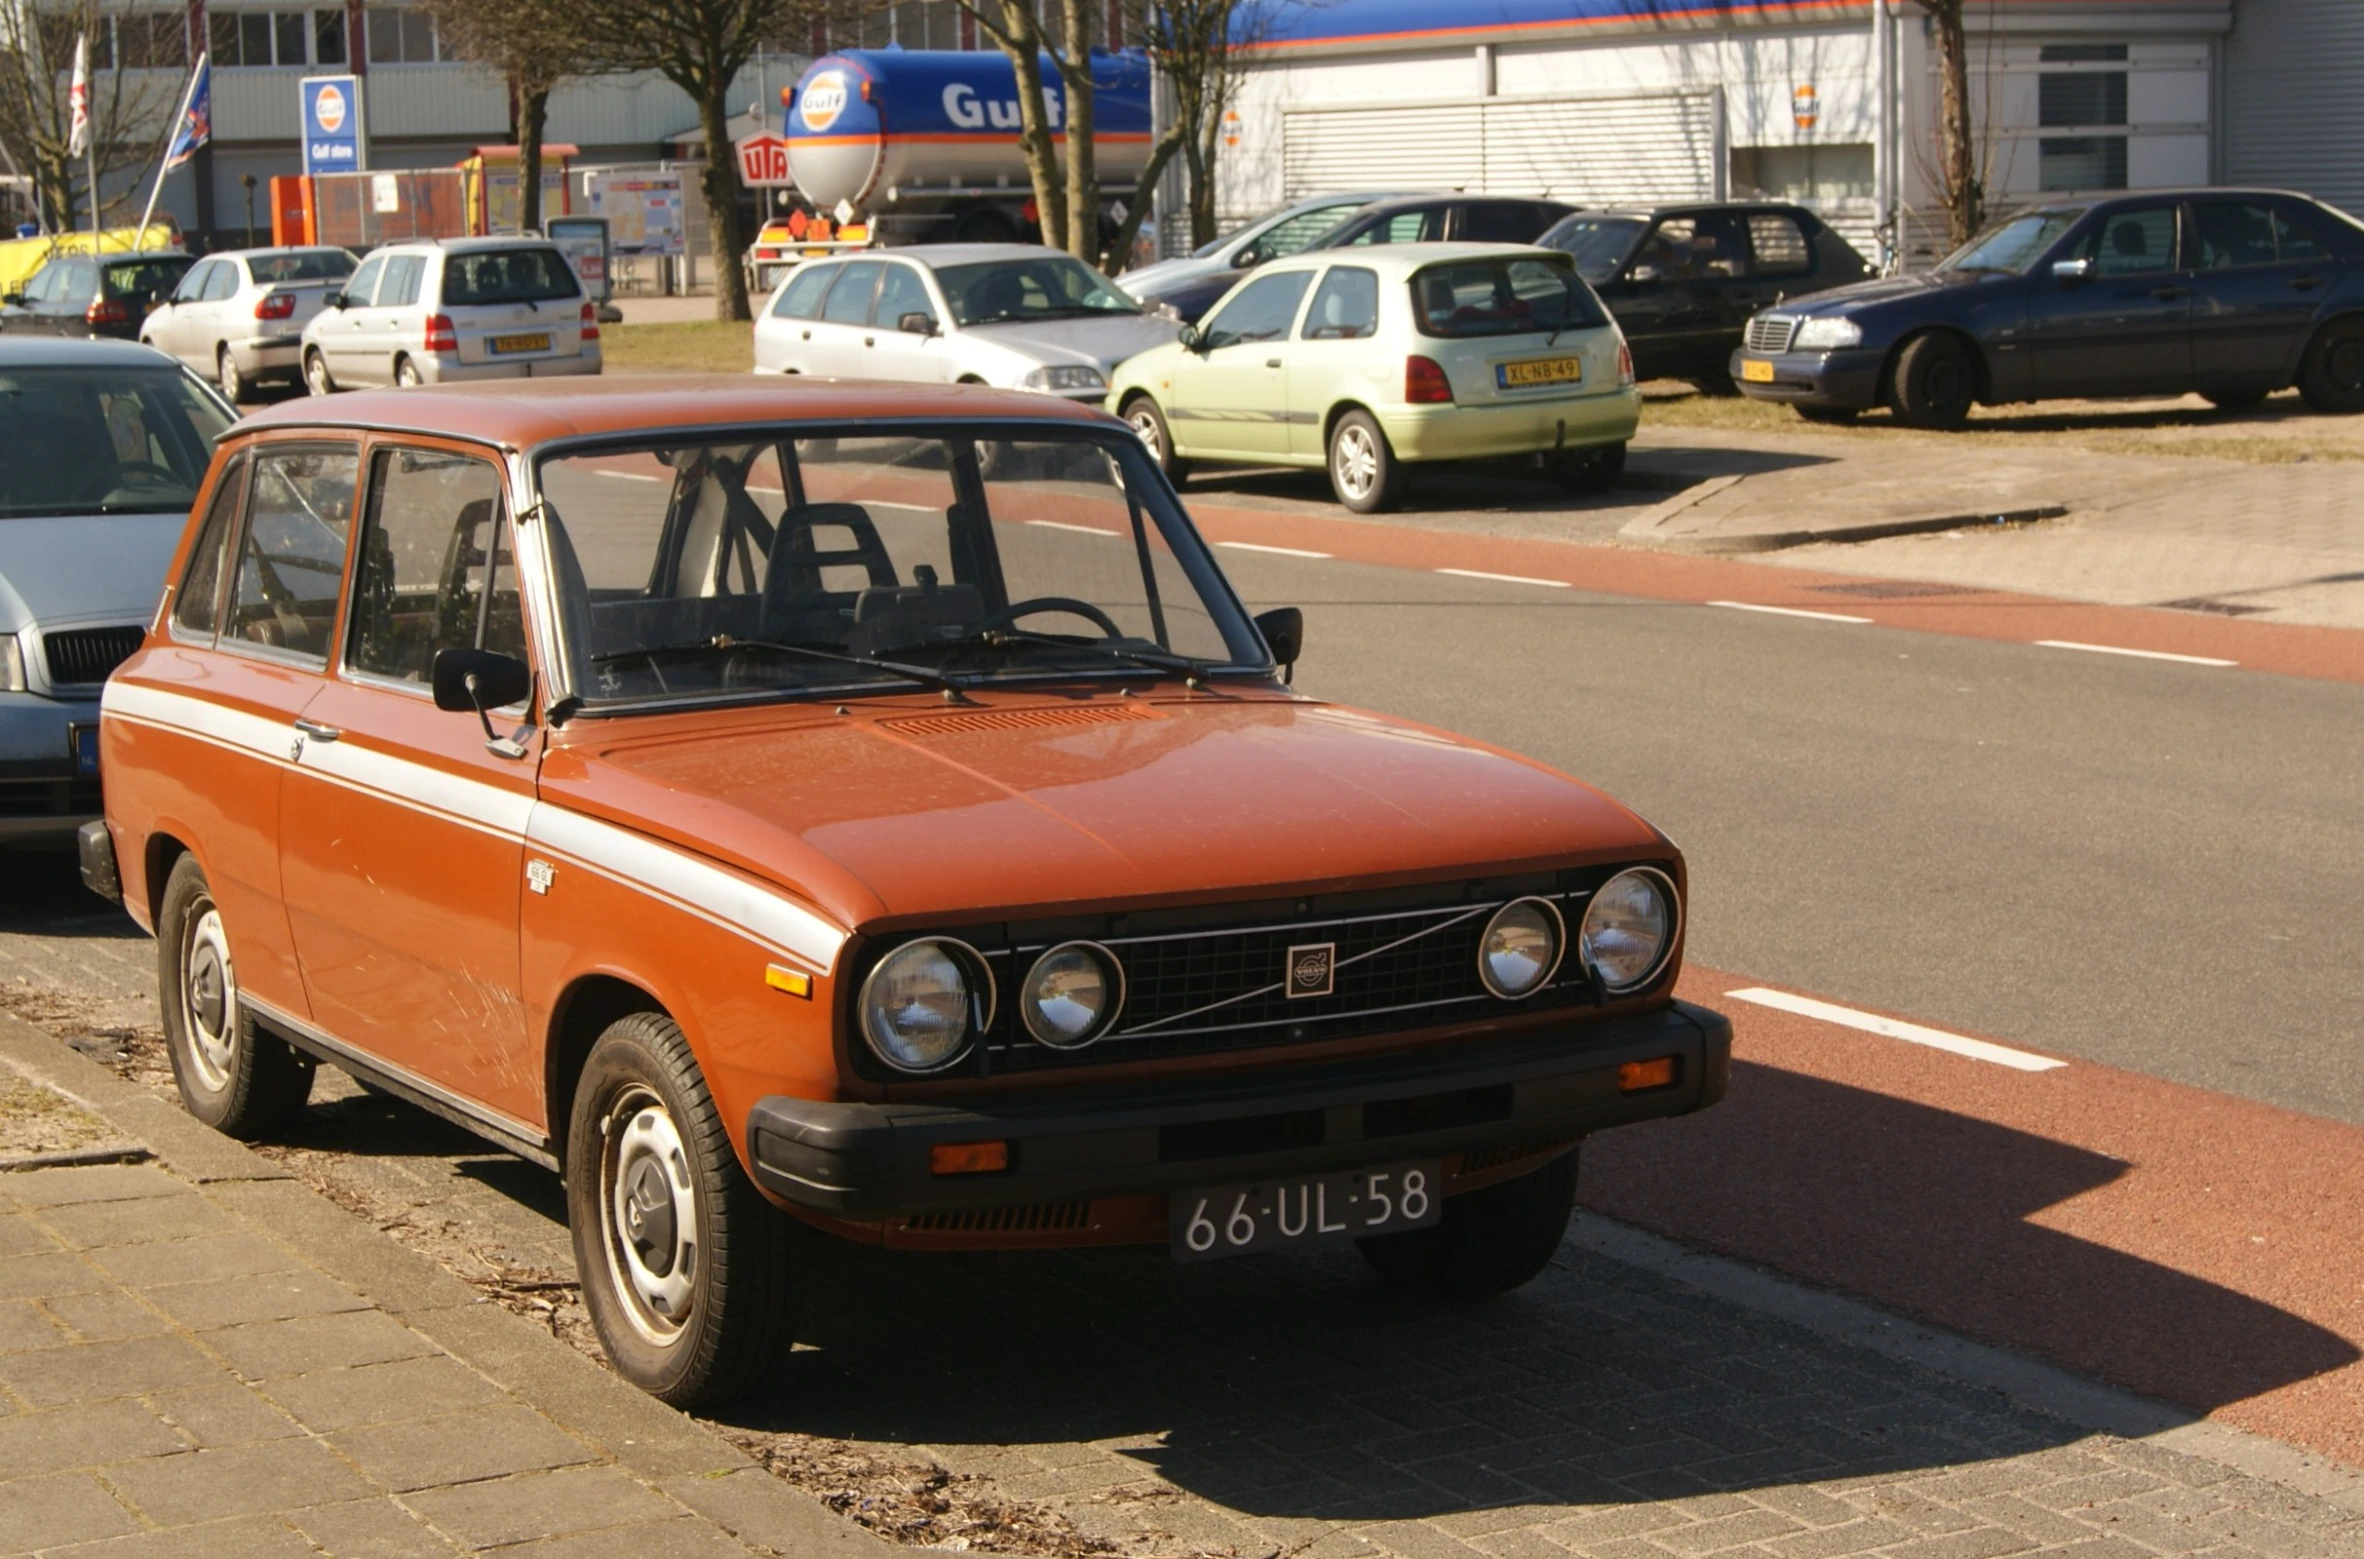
687,1269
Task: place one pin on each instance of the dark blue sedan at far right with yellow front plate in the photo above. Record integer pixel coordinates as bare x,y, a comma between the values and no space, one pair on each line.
2226,292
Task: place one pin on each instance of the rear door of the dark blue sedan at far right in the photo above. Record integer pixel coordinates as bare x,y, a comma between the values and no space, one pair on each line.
2256,283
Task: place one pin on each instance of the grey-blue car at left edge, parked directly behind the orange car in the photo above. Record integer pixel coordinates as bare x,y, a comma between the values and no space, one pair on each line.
103,448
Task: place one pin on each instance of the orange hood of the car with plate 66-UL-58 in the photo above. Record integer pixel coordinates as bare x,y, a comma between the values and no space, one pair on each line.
1034,806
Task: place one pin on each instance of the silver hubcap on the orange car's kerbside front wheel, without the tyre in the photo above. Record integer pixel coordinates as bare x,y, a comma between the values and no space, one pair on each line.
651,1215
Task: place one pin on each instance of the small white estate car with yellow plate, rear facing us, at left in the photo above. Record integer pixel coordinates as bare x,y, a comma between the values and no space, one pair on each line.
441,311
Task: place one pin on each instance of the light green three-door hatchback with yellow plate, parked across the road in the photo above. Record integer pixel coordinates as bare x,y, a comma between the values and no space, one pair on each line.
1370,361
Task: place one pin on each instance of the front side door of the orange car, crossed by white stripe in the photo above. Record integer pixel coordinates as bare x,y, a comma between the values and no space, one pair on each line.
403,832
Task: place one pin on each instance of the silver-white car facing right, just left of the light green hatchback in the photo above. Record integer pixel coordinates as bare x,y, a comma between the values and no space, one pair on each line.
1011,316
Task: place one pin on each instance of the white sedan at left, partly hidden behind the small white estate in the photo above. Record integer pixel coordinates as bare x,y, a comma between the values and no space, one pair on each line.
240,316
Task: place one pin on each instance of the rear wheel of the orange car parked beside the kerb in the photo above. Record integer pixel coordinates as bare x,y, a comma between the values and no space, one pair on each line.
233,1075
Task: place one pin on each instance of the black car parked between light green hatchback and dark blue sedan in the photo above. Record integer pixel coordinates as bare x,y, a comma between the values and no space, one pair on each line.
1684,280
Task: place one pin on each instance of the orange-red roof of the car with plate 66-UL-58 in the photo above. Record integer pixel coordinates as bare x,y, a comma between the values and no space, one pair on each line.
528,413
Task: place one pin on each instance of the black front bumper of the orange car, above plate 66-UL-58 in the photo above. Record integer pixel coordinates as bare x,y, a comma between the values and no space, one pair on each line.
869,1163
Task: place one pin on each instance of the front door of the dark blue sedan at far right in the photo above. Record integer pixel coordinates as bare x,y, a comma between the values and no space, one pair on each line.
2124,328
